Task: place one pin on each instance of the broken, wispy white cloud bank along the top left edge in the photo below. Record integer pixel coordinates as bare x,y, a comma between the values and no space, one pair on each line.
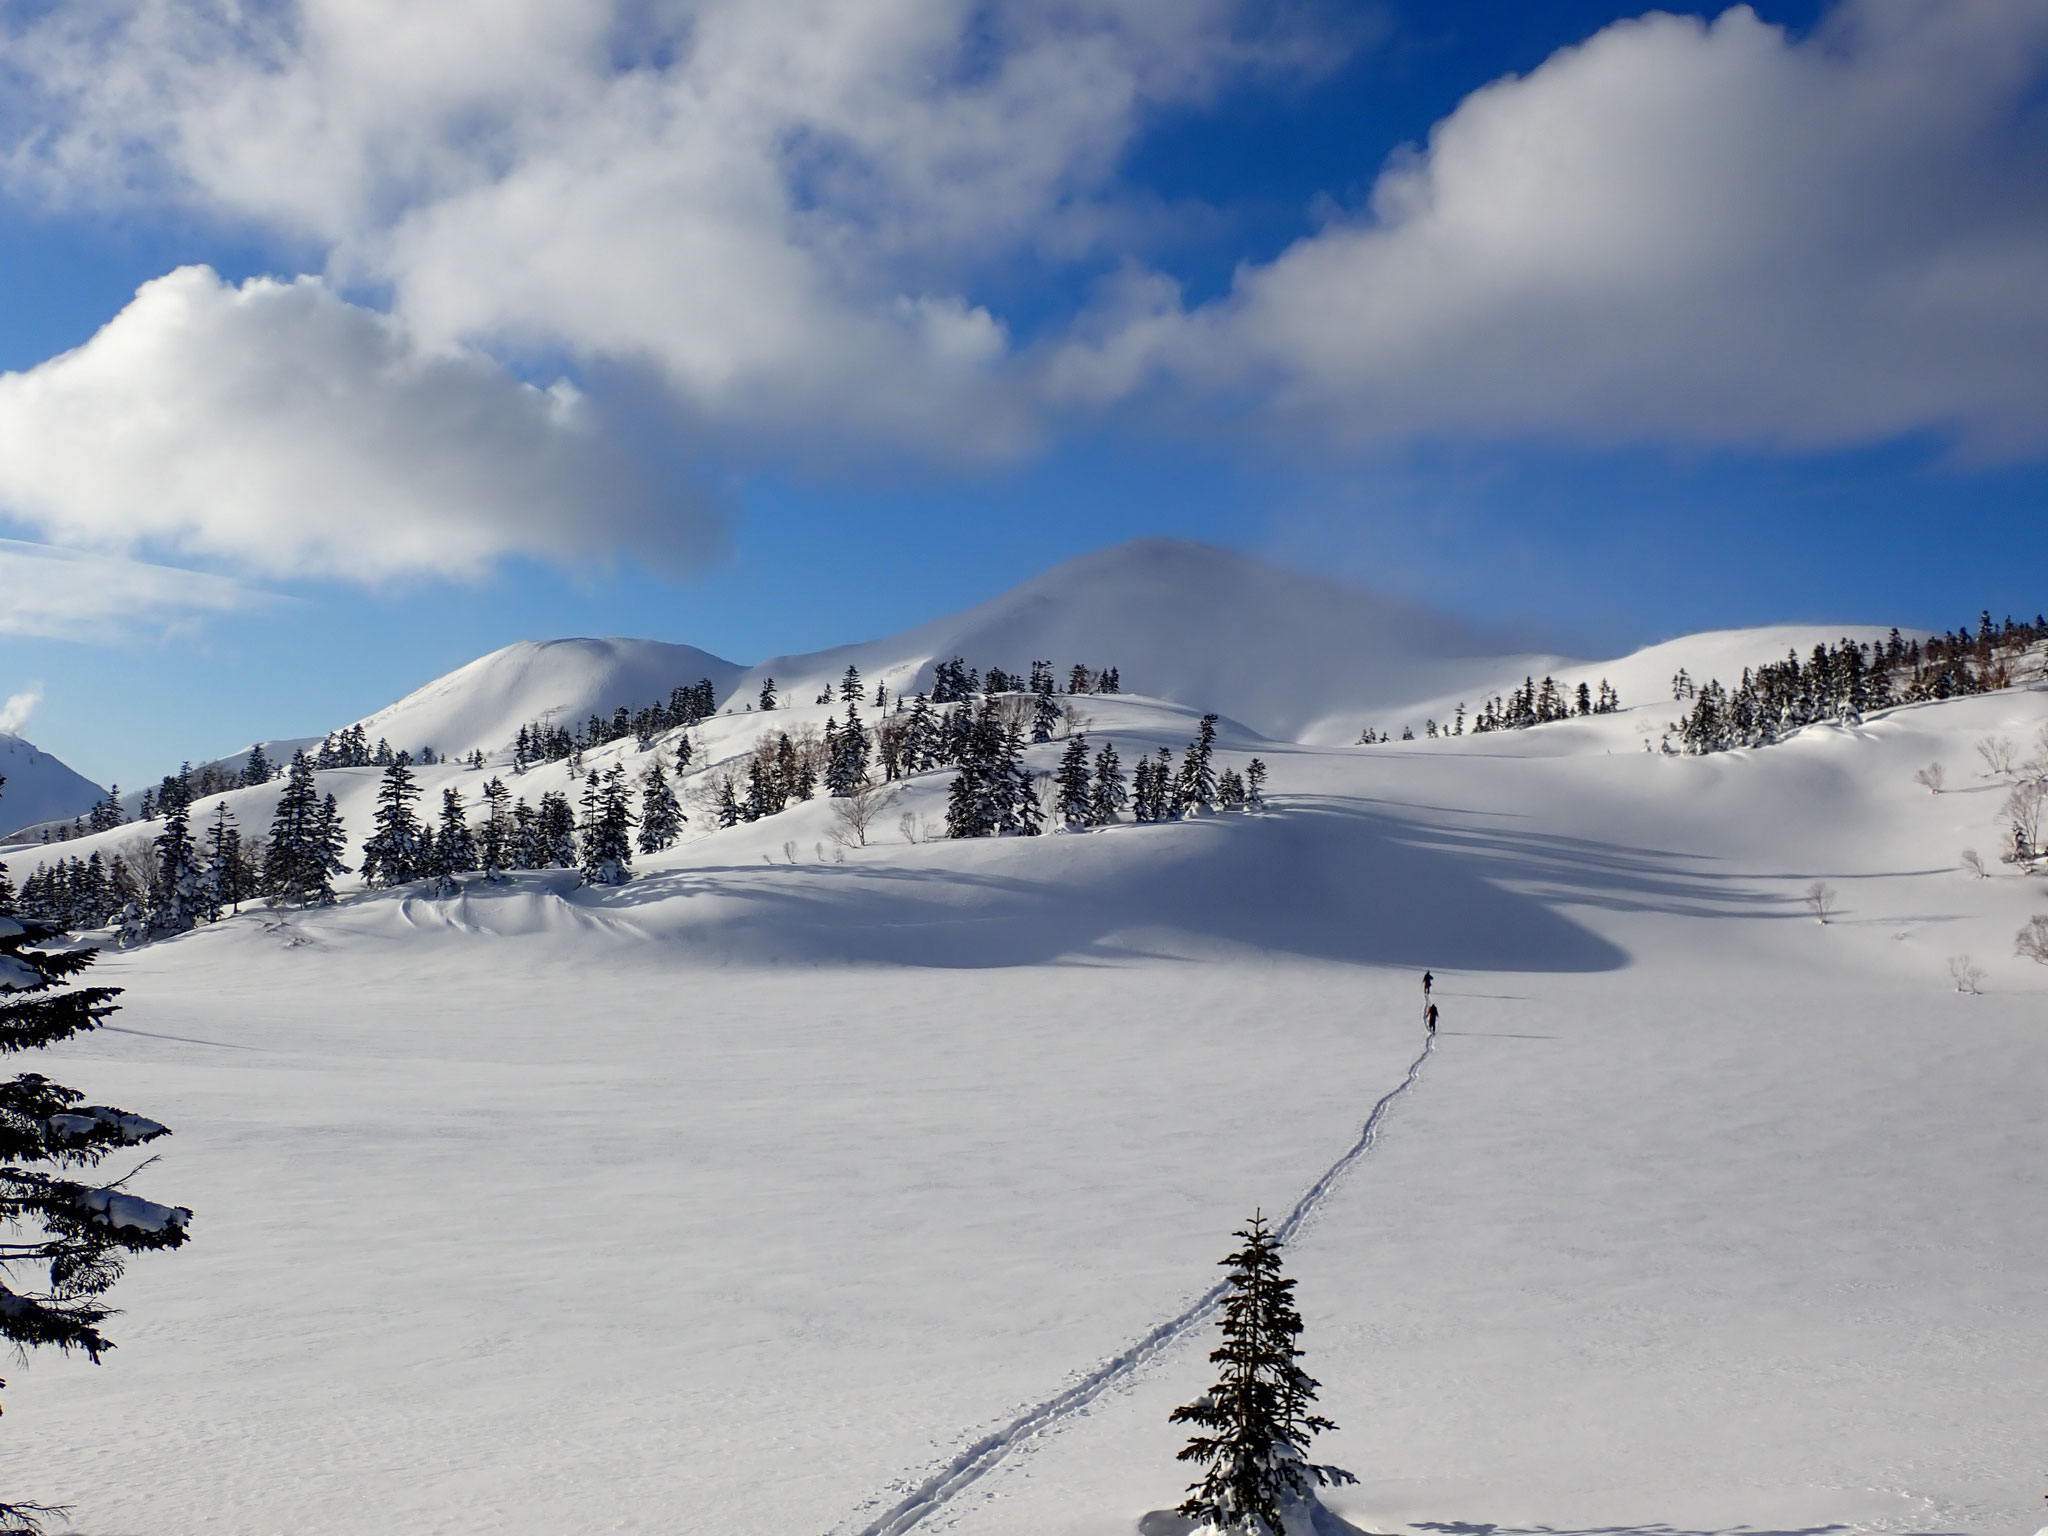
775,206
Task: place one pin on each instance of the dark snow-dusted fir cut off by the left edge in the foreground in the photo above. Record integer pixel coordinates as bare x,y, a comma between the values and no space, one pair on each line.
69,1236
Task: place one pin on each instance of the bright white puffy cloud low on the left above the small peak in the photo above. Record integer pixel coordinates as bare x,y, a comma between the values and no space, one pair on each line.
290,433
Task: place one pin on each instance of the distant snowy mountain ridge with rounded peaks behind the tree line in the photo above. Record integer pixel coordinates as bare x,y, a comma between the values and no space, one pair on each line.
1293,656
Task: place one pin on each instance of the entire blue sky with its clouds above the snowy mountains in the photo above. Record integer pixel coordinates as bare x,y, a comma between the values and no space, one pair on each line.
351,341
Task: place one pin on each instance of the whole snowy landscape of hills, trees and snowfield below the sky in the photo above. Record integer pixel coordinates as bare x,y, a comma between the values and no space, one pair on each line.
622,1089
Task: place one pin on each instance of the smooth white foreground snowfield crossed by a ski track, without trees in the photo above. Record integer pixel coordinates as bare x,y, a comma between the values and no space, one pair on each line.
757,1193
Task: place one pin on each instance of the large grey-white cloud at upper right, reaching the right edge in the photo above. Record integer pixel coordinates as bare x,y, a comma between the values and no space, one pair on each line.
1676,232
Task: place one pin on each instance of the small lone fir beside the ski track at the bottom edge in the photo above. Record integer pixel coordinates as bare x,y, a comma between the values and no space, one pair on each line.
1254,1426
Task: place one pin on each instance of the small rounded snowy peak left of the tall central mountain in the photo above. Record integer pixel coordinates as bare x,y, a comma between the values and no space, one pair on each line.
484,703
